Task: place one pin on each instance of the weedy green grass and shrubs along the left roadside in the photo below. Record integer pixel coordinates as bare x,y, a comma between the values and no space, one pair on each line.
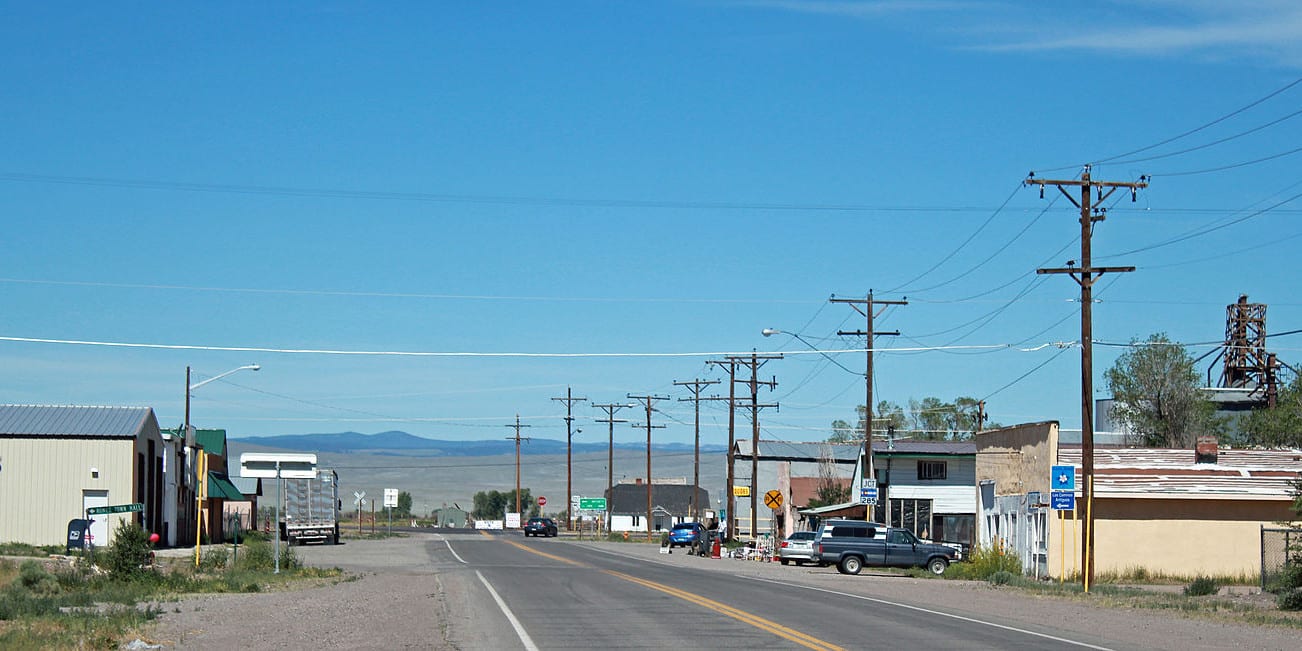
67,602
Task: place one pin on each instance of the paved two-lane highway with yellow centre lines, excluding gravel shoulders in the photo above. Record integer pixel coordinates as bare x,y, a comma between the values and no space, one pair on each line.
554,594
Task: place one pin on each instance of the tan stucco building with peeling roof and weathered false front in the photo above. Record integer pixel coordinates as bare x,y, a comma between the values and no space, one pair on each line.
1165,511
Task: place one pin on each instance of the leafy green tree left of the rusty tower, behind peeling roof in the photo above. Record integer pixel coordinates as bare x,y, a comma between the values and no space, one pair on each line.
1157,394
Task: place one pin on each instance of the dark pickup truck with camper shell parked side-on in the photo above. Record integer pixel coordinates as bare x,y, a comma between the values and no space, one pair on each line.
851,545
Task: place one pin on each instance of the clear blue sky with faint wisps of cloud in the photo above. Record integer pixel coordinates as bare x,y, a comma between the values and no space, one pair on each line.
626,191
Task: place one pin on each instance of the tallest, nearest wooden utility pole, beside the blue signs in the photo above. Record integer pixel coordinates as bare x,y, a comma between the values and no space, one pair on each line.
1087,275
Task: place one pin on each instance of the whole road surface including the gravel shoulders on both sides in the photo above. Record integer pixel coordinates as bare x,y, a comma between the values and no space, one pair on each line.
503,592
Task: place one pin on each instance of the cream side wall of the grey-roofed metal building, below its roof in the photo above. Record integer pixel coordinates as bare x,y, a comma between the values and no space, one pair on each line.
42,484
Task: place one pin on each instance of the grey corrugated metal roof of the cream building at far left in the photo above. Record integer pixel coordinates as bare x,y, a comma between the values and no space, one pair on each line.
72,421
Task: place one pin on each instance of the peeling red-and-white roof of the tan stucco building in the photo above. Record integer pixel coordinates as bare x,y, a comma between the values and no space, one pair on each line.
1163,473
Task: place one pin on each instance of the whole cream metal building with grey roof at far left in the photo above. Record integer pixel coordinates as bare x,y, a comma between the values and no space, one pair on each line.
59,462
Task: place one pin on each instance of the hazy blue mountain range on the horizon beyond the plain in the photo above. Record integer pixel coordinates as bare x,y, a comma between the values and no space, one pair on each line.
398,443
